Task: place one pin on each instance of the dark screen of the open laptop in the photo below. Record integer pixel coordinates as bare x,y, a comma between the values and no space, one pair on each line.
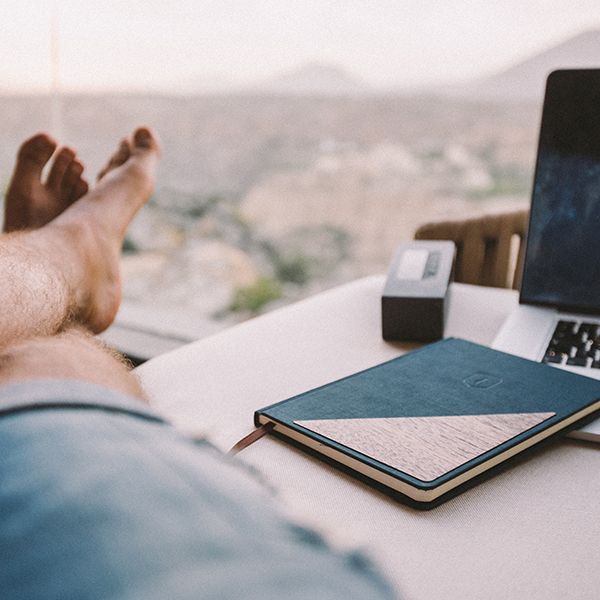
562,262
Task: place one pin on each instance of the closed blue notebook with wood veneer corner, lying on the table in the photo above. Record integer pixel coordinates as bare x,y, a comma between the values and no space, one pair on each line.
429,422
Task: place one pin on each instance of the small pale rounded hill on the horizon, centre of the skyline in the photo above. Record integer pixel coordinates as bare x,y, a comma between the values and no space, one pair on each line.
314,79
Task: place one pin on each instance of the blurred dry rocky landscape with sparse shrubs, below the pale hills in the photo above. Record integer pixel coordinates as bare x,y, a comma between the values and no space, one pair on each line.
265,199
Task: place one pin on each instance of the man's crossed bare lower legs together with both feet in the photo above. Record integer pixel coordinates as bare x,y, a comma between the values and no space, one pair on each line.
45,267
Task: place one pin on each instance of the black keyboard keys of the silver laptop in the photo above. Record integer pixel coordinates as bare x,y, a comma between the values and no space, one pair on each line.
575,343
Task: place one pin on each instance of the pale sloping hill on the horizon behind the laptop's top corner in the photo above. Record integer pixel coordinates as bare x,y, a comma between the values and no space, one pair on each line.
525,81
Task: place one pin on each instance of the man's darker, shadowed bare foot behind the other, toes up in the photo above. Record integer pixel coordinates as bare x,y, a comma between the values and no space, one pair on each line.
30,202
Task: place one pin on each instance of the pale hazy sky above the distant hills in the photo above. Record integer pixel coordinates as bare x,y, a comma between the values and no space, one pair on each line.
190,45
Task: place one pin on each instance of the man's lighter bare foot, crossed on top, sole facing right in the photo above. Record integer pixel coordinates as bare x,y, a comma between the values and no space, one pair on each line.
95,226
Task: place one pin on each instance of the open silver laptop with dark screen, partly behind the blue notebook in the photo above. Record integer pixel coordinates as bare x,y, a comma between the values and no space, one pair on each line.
558,318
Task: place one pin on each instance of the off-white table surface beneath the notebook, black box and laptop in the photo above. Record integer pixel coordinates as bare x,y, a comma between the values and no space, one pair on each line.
532,531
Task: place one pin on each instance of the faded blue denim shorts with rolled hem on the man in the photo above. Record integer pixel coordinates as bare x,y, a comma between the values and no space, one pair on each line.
100,498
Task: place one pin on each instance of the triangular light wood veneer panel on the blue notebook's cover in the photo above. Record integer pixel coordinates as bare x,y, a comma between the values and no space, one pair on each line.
425,447
